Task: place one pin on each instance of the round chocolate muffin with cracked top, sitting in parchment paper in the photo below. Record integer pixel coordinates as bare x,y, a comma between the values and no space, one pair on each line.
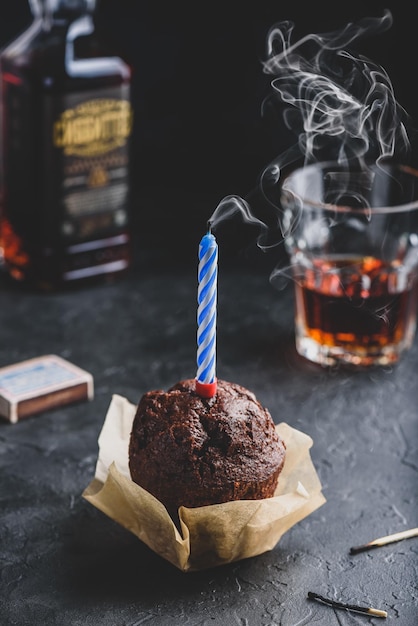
191,451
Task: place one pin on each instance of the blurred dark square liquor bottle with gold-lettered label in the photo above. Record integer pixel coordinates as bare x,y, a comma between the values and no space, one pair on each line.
66,122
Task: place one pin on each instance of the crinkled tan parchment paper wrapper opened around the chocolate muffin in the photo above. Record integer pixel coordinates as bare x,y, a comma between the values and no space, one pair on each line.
210,535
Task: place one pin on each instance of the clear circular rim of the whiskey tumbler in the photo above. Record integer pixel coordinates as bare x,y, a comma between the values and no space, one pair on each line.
391,170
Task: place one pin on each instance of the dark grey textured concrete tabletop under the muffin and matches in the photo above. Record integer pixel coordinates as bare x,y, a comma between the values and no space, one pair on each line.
64,563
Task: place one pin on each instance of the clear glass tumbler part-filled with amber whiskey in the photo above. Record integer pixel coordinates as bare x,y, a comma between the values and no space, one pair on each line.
351,232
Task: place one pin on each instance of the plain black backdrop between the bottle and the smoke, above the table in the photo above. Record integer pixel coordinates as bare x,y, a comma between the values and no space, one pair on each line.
198,89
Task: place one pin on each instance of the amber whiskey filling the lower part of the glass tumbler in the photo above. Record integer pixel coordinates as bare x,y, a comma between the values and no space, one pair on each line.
355,309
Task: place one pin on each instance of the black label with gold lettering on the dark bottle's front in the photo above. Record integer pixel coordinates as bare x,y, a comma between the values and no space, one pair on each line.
89,149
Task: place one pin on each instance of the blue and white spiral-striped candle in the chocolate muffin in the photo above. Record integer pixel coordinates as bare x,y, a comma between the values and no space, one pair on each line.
206,316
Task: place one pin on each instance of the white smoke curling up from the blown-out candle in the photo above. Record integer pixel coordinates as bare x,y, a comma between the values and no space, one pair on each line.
339,105
